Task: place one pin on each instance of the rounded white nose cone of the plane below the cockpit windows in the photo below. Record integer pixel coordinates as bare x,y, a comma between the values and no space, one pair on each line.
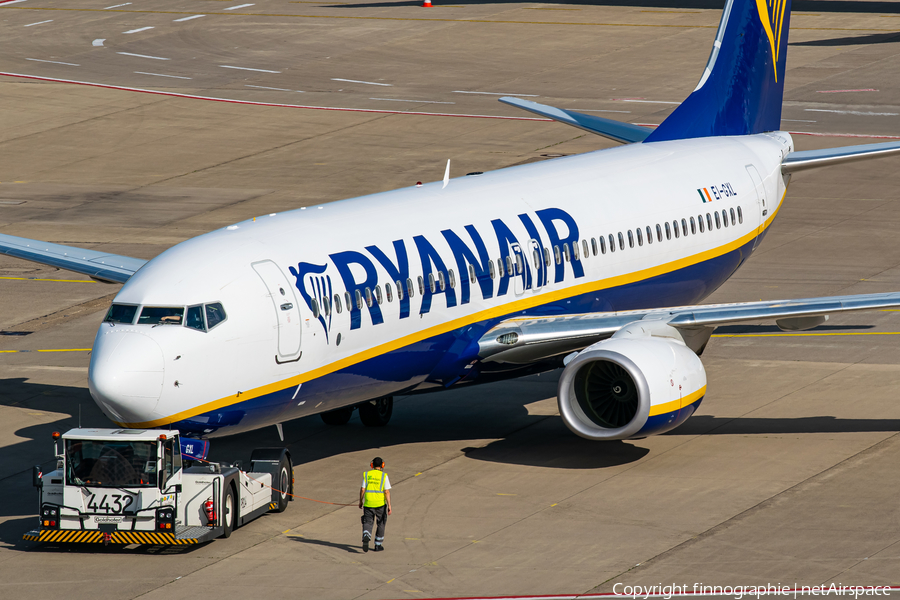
126,375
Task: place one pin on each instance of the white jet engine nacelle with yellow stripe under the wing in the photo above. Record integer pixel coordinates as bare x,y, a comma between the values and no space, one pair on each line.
631,387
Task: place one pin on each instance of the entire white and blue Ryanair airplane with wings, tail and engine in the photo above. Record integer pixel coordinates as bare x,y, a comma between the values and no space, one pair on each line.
595,263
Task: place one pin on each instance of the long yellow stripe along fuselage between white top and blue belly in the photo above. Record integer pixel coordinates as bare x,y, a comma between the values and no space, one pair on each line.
447,326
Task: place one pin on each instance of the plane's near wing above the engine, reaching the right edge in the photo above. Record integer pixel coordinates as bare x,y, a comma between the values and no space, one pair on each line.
529,339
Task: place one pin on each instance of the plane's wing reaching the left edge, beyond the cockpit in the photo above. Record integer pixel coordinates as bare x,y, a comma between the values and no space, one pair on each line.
102,266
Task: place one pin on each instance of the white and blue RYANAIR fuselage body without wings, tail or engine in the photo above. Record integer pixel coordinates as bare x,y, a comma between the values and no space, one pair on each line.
274,359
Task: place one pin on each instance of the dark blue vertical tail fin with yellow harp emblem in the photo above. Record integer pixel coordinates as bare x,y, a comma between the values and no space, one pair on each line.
742,87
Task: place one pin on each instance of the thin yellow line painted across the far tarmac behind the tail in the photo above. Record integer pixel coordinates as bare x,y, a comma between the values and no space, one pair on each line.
232,14
